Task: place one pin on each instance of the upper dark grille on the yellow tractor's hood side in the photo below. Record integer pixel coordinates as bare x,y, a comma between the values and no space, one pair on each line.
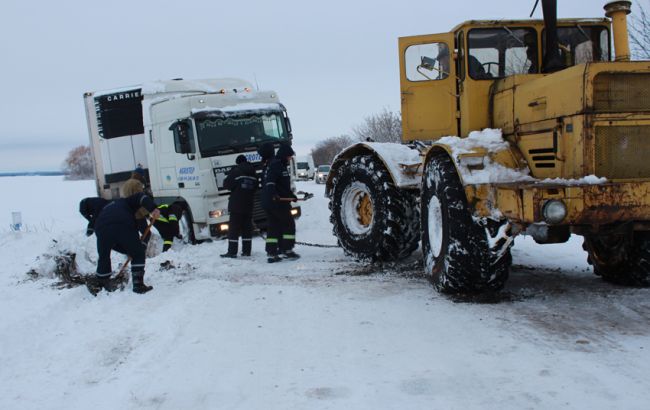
621,92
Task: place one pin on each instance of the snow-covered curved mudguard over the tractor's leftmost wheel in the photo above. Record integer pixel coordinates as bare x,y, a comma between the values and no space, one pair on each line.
404,164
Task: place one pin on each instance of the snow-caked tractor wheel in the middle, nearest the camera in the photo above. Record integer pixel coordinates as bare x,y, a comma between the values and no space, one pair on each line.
461,254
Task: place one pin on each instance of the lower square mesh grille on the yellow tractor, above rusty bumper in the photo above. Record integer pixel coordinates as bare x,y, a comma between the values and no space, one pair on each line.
622,152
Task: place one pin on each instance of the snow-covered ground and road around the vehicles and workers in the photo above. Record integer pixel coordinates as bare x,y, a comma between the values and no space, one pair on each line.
322,332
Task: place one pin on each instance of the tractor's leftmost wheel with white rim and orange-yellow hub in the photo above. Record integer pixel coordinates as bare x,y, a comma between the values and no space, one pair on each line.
372,219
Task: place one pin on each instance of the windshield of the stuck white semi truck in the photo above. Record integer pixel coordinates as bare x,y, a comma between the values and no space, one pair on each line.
218,133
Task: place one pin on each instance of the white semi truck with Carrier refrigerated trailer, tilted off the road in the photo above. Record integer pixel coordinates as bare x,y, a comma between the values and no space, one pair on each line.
186,135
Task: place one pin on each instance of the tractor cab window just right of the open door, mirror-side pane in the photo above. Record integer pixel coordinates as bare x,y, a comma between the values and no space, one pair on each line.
500,52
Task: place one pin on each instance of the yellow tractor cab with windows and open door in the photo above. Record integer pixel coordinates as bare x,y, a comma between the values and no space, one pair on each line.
446,78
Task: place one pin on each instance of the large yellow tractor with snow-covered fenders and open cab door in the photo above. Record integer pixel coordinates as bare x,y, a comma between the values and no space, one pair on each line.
509,127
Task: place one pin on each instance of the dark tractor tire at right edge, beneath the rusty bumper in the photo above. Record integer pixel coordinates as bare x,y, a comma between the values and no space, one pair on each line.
620,259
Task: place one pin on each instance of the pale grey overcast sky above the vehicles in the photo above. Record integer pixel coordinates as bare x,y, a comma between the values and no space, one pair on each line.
332,62
